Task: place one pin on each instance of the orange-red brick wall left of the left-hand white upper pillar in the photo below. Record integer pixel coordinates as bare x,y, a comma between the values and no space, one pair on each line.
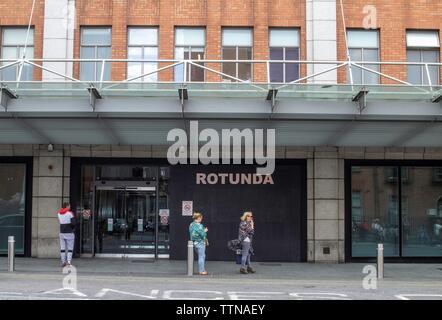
15,13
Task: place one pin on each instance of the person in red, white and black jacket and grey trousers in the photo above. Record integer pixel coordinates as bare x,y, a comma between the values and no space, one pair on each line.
67,233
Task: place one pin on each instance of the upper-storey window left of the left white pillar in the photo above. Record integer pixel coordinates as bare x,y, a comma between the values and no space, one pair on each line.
13,45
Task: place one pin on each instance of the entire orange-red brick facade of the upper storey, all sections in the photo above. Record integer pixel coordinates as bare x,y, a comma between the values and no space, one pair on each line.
393,17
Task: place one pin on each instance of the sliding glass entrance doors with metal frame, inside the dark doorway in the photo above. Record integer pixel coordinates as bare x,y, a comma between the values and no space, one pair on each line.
126,219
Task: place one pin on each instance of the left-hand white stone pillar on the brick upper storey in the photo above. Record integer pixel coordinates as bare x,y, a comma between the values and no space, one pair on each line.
58,37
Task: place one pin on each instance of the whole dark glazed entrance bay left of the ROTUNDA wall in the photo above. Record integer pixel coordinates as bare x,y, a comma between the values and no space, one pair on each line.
123,209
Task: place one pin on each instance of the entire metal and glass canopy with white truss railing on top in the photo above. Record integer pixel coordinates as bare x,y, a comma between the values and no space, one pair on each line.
303,112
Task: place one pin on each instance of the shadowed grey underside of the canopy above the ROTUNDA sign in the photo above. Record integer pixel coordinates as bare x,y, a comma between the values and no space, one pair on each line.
154,131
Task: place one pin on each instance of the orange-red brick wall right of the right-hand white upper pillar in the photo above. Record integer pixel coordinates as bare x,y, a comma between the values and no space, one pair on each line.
394,17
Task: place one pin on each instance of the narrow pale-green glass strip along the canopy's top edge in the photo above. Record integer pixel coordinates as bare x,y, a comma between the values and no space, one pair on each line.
264,91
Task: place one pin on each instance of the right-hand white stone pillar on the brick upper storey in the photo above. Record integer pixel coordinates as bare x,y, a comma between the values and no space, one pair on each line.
321,38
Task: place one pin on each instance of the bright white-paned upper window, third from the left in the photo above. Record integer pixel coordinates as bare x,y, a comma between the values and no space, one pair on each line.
142,45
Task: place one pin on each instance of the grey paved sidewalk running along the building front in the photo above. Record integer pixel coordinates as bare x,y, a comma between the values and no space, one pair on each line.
222,269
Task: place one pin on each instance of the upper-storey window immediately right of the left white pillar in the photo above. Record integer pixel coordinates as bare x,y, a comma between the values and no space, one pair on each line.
95,44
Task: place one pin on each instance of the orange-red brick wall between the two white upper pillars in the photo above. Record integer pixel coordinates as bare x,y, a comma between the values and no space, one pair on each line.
167,14
